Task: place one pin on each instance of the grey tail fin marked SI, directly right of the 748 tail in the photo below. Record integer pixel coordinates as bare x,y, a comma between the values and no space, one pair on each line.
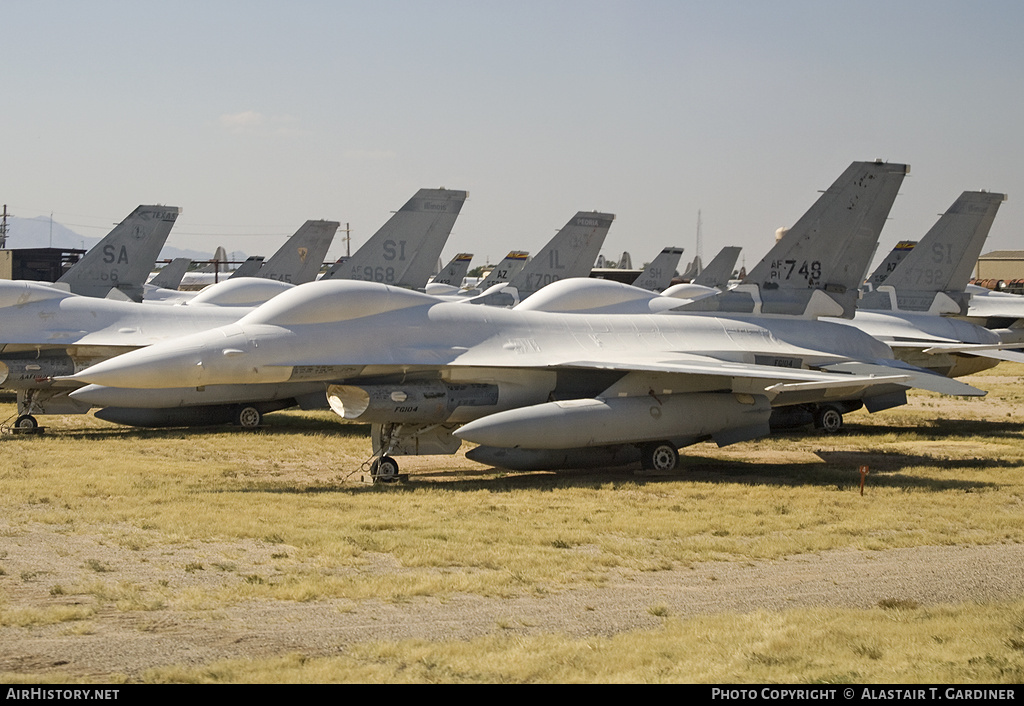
935,274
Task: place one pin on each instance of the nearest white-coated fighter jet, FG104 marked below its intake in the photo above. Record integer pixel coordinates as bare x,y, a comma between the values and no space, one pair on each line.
538,389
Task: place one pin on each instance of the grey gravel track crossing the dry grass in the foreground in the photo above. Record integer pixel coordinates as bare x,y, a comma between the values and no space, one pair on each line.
131,642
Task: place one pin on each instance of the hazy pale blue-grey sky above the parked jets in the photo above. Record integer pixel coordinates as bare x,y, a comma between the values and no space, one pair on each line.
257,116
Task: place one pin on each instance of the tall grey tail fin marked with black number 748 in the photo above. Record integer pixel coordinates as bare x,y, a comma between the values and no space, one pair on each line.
817,268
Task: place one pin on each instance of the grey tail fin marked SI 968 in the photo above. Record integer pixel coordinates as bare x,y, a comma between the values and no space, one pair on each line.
406,250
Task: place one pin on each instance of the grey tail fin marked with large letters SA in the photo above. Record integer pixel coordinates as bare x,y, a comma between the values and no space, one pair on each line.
125,258
